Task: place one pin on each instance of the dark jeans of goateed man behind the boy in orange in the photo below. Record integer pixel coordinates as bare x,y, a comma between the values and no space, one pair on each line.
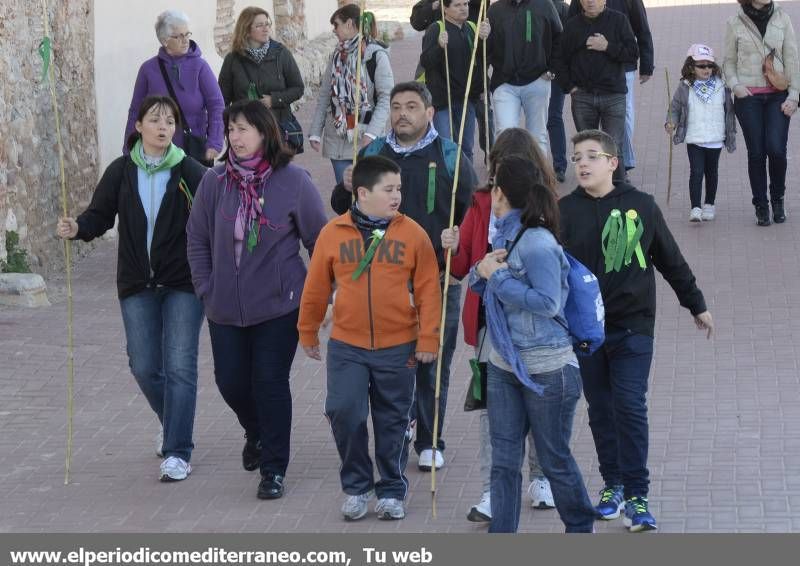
426,379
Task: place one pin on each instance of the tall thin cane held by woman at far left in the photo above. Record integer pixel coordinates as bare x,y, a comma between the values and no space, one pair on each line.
48,74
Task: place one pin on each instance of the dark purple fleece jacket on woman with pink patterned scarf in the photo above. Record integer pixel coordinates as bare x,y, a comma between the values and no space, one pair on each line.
269,280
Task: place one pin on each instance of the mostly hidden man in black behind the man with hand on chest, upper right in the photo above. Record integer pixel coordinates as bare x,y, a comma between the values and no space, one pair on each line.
637,16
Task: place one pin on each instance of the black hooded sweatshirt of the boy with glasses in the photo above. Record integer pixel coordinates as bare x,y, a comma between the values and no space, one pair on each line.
630,294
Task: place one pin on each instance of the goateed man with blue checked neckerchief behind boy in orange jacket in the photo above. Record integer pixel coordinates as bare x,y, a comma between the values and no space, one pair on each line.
427,164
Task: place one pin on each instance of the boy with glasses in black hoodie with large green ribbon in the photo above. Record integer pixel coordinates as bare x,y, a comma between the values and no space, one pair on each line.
620,234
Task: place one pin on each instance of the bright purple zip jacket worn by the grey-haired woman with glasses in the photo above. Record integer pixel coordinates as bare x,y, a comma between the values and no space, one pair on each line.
195,86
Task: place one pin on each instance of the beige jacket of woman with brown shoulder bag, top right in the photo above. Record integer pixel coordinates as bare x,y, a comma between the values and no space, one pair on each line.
745,51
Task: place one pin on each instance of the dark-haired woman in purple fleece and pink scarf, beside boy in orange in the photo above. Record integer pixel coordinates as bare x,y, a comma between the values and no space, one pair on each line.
249,216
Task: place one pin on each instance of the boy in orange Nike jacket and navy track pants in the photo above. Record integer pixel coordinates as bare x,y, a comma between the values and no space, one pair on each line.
381,269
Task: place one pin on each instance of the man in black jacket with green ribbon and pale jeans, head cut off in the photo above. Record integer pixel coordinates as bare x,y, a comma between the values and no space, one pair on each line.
520,48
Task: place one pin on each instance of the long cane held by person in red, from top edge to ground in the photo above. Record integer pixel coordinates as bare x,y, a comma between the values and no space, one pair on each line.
448,256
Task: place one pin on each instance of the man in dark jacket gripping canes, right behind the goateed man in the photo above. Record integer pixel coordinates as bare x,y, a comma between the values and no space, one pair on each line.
457,35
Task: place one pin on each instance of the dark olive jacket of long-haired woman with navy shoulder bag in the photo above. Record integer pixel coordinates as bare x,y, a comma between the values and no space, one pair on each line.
277,75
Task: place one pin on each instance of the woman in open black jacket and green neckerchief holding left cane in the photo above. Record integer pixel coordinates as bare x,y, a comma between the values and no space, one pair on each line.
151,190
